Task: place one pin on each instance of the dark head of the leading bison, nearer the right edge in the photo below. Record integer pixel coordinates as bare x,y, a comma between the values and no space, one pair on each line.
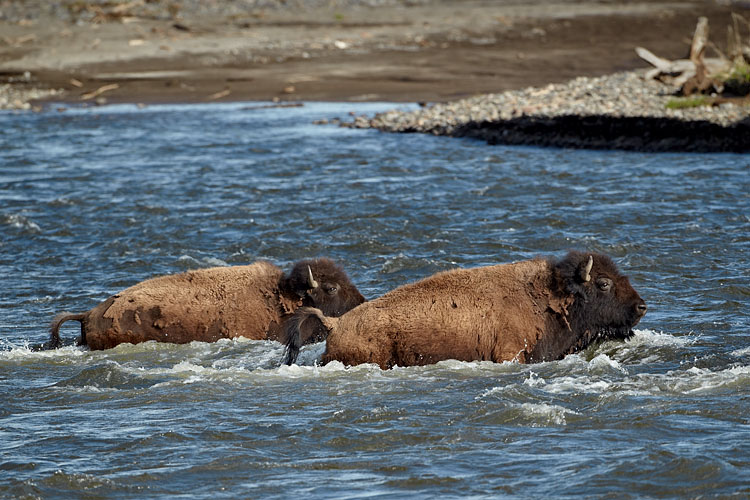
606,305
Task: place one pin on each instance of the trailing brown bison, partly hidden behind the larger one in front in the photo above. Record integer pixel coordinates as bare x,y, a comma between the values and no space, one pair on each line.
250,301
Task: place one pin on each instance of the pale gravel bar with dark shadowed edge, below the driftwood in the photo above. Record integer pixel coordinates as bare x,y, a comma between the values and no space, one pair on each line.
618,111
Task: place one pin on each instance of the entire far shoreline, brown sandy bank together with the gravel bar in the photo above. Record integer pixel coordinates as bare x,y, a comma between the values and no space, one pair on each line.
517,64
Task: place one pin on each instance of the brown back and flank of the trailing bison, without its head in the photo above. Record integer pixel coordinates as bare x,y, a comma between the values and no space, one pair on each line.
203,305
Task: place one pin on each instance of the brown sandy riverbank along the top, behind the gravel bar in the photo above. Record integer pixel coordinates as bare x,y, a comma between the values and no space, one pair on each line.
386,50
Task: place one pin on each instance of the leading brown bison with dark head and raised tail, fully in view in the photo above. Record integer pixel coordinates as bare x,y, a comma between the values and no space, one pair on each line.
531,311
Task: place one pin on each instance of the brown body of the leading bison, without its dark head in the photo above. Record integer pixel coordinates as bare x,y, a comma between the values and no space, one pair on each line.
490,313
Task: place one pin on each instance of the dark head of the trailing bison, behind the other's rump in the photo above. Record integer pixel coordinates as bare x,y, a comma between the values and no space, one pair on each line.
322,284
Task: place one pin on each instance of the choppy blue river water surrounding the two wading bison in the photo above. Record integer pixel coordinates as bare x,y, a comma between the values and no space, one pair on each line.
93,201
